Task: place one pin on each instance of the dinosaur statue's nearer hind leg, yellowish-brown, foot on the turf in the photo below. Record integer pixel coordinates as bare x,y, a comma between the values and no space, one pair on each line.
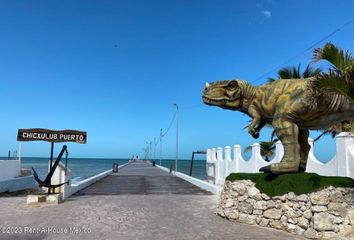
288,132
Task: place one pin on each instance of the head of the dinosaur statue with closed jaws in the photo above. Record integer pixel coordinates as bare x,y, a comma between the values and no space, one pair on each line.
225,94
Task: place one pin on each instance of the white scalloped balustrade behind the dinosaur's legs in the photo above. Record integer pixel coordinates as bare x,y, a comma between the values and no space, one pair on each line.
220,163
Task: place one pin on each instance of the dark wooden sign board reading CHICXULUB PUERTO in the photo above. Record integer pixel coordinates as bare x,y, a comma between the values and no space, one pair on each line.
40,134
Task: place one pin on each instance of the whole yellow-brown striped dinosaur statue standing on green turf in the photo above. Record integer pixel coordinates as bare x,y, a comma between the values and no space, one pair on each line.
291,106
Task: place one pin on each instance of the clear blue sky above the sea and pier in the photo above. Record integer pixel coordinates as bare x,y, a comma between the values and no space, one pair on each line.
115,68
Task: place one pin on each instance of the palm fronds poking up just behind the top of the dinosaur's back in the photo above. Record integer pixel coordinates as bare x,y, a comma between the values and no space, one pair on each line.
295,73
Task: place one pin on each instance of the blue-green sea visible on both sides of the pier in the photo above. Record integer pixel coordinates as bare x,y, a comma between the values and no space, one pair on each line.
82,168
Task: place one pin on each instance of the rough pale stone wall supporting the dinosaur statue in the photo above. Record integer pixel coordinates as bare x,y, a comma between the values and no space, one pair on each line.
325,214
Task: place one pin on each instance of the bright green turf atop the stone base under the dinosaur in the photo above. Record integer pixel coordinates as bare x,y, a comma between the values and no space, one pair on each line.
299,183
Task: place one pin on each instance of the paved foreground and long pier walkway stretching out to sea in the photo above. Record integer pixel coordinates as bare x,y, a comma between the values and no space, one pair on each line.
139,202
